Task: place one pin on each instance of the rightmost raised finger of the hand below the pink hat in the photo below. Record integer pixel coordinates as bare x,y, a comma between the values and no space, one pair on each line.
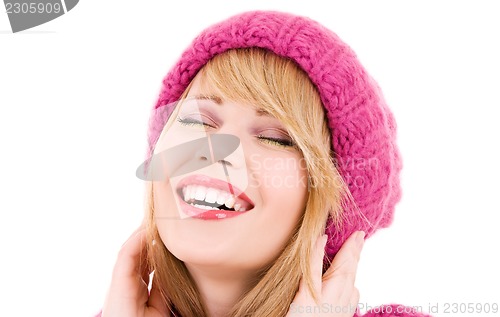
341,275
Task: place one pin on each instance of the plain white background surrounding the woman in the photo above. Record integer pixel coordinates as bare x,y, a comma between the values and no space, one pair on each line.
75,96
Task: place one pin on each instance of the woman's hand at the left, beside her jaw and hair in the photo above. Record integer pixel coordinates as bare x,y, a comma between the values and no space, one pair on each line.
128,294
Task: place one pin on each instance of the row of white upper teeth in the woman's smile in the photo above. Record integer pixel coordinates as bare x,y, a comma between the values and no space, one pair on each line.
210,195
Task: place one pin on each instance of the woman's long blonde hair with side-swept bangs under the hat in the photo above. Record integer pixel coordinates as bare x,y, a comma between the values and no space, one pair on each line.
280,87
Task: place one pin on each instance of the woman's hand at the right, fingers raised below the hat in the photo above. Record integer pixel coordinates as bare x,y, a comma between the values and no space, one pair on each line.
338,297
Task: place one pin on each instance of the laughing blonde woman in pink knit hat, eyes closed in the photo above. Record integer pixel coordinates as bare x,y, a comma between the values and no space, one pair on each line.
271,155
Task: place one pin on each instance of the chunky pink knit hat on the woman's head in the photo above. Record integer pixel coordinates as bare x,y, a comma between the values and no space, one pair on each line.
362,126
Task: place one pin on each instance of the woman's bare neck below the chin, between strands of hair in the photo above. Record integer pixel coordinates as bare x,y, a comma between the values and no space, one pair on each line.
220,288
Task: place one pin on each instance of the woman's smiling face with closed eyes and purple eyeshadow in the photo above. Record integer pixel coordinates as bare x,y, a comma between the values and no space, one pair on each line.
235,187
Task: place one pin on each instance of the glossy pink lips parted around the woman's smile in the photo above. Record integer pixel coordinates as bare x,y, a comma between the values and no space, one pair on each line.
209,182
